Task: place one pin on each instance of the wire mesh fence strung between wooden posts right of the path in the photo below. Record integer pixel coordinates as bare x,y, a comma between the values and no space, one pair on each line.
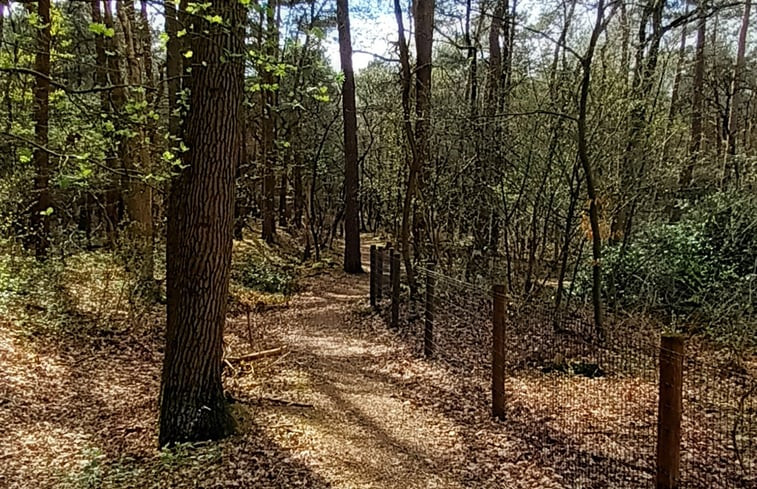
590,402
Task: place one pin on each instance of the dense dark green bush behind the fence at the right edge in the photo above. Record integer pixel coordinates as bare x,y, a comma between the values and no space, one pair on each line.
700,271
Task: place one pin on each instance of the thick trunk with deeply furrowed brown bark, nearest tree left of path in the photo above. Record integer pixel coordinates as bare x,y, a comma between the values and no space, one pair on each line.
200,223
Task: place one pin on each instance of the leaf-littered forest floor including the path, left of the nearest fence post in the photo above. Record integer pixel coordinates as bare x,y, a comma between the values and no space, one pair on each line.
345,403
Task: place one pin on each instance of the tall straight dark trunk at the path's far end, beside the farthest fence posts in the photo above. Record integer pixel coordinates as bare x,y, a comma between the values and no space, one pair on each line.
352,262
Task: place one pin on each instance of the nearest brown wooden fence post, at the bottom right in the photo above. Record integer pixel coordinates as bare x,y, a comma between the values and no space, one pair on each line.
669,412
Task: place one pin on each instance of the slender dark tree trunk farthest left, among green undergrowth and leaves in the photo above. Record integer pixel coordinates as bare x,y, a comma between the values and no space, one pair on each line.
40,217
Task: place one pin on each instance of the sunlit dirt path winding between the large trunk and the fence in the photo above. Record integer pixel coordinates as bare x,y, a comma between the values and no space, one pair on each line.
361,431
